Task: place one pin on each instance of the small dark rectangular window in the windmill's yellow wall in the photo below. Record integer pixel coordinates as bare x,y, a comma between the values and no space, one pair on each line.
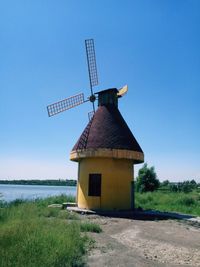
94,188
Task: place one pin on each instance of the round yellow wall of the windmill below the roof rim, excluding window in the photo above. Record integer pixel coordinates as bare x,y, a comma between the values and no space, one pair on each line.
116,178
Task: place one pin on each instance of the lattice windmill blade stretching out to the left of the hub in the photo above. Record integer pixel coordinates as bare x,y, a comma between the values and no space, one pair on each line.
65,104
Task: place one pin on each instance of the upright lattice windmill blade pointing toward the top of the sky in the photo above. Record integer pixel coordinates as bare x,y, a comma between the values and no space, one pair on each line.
91,60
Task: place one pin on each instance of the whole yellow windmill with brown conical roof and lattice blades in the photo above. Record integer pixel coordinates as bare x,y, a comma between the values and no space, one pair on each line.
106,151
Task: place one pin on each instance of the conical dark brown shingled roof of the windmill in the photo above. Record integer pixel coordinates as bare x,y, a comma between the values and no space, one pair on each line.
107,130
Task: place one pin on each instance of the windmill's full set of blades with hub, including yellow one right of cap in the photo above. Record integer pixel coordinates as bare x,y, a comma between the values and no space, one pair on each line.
79,99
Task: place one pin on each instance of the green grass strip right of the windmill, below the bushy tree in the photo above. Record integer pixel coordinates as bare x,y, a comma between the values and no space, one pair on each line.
188,203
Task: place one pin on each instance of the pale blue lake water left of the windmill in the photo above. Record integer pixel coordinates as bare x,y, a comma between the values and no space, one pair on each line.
12,192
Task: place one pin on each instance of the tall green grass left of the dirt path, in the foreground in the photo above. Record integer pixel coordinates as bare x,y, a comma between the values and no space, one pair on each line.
33,235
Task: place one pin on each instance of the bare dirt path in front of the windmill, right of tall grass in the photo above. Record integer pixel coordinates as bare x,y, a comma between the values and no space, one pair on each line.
127,242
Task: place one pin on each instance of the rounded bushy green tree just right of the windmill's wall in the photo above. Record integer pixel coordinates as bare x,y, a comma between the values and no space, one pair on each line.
147,179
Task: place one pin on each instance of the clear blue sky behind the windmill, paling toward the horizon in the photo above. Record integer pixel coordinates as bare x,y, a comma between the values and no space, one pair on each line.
153,46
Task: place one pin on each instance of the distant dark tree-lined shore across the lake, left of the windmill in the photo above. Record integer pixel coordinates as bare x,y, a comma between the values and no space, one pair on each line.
40,182
